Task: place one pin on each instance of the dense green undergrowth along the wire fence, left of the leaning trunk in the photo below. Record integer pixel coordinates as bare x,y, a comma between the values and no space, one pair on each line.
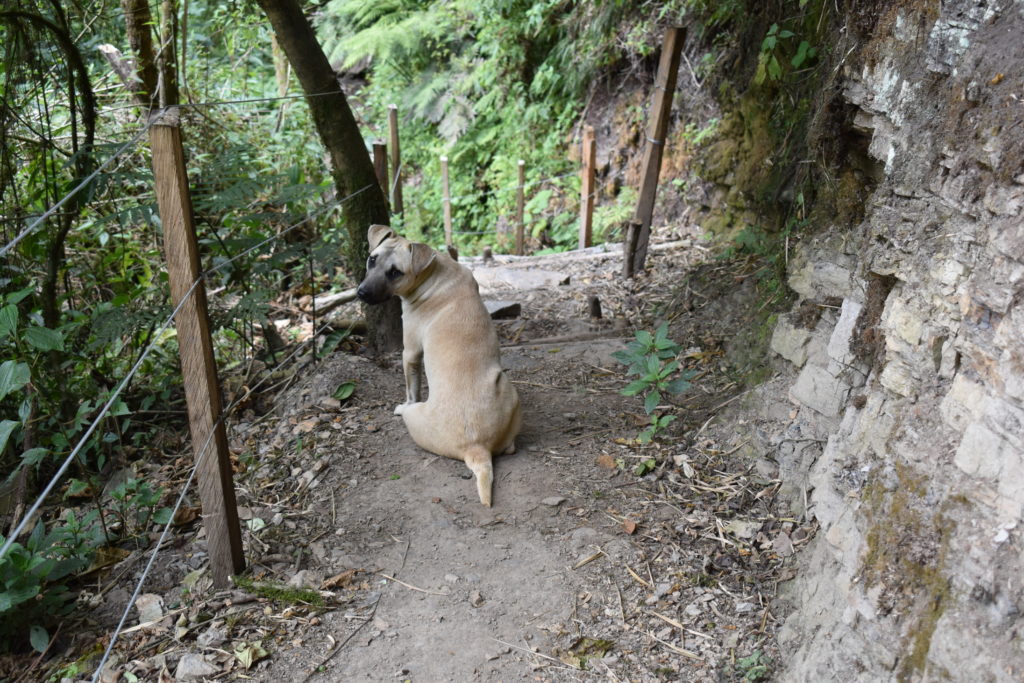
76,313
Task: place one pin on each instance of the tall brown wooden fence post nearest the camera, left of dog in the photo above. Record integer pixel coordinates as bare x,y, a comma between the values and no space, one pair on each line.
221,516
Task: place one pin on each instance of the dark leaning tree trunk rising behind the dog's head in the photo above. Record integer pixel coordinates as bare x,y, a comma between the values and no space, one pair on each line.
351,165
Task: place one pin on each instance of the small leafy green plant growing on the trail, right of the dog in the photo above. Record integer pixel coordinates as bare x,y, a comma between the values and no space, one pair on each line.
653,360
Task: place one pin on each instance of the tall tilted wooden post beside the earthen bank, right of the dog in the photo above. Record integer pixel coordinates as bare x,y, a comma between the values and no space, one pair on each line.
638,232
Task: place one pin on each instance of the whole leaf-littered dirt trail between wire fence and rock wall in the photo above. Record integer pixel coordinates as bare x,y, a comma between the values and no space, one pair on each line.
601,559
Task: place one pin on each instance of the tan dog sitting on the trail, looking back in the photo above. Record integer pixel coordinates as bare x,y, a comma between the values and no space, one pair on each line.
474,410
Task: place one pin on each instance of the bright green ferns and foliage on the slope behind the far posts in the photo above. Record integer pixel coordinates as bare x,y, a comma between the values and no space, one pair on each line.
486,83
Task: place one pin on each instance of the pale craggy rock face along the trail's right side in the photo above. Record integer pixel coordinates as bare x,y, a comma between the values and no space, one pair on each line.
905,358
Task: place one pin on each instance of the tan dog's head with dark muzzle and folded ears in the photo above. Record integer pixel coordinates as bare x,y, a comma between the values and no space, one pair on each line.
396,267
